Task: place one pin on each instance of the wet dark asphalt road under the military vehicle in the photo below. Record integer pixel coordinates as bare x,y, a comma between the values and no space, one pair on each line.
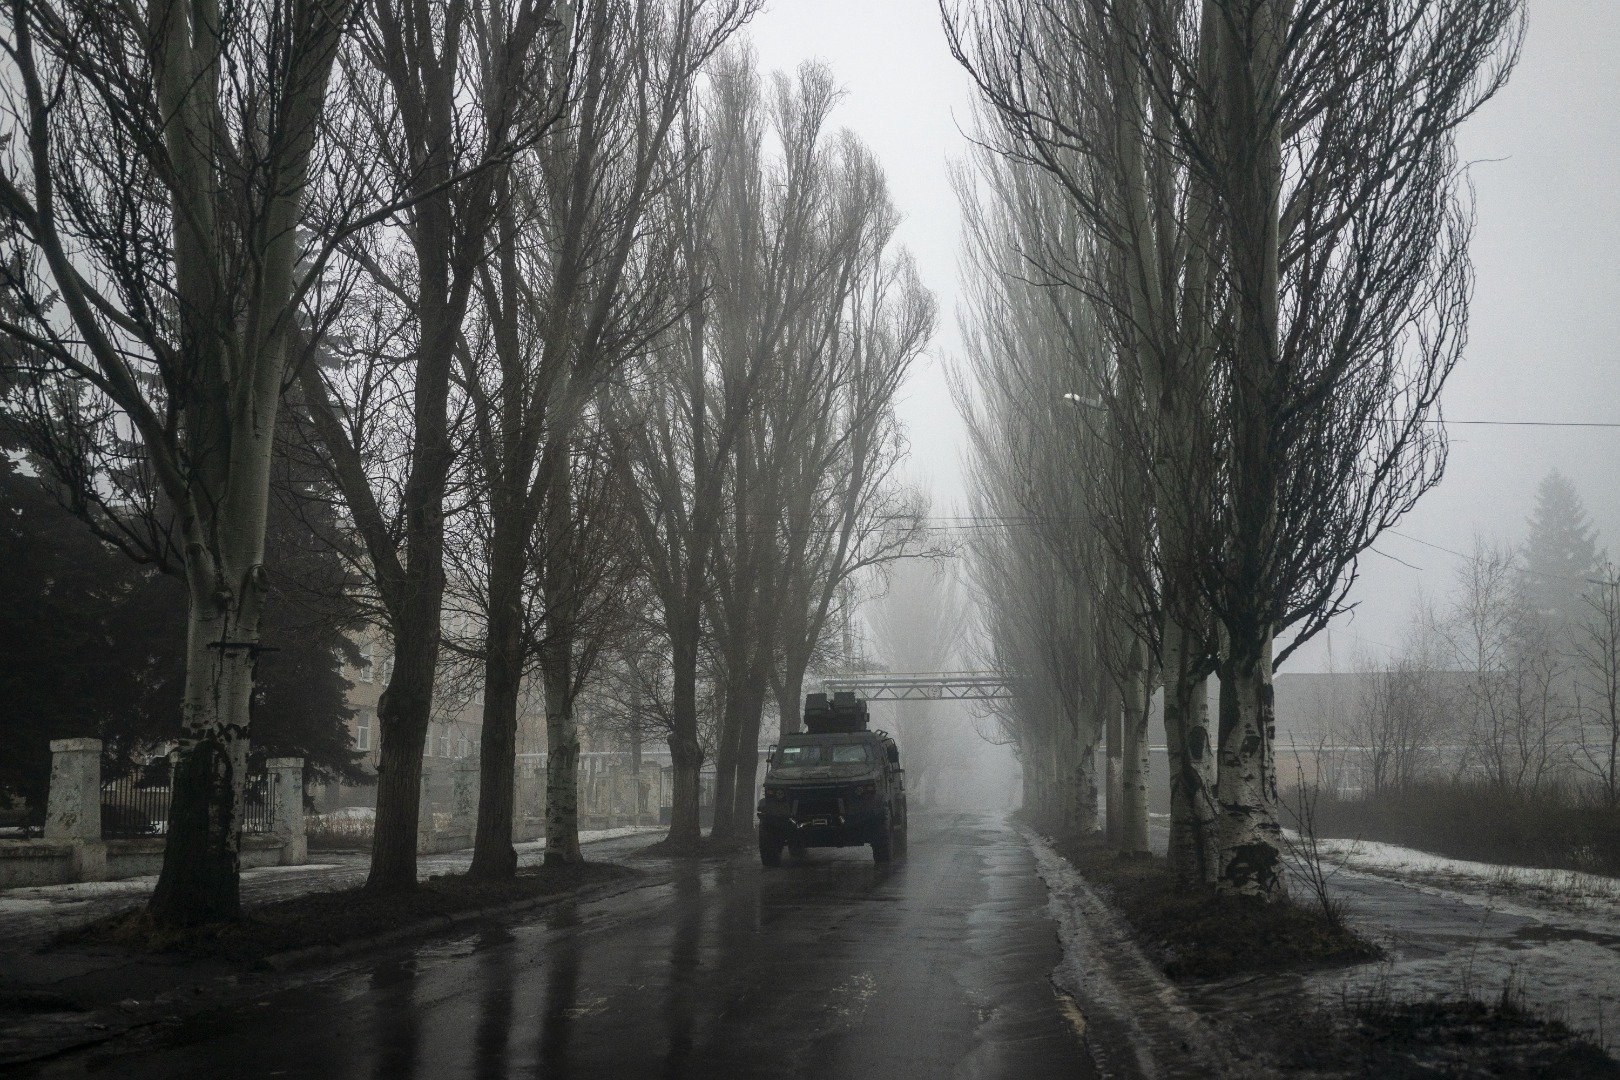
833,967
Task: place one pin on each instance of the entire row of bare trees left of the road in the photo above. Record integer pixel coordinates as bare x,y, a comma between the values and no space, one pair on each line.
589,336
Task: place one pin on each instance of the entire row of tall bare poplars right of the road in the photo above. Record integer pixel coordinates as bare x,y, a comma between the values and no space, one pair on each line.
1226,278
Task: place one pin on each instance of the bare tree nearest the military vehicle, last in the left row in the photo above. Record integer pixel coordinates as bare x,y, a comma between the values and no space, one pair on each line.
829,323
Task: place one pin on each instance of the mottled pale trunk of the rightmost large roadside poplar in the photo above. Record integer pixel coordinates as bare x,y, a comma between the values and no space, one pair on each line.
1250,836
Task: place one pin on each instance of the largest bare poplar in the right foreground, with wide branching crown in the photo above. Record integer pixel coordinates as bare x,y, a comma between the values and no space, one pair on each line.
1319,140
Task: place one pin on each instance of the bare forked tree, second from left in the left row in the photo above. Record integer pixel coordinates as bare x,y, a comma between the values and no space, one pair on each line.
441,98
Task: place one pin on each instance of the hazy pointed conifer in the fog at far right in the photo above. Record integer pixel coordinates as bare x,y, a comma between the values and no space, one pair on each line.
1561,555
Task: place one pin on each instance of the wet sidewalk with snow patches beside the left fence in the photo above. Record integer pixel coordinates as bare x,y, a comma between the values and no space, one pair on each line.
51,1001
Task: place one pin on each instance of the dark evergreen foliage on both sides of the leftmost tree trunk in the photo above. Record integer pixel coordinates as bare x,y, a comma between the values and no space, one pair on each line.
92,642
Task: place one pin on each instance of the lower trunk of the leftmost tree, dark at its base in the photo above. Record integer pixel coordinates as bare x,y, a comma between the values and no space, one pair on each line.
200,880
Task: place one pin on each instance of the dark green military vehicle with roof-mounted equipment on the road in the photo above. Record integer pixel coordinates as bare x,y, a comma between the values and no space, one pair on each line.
835,786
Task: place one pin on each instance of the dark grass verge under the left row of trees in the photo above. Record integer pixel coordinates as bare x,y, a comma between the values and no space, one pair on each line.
335,919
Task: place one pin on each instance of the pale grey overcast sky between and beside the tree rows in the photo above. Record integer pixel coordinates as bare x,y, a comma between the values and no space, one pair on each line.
1546,318
